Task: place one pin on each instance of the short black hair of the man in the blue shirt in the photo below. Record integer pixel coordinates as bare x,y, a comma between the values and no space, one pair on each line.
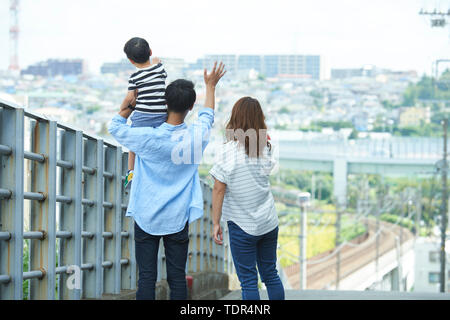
180,95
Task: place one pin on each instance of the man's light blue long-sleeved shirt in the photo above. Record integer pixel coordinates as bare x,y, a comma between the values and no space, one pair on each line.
165,190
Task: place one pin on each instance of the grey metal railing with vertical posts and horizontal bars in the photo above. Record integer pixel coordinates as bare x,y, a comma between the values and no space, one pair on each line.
62,195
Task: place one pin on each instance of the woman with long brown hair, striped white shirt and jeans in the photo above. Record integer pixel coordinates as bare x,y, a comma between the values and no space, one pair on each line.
242,195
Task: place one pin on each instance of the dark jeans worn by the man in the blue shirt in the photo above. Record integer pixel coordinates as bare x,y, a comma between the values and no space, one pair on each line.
176,250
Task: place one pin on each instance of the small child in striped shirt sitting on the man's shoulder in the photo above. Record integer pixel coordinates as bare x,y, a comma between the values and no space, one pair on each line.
147,86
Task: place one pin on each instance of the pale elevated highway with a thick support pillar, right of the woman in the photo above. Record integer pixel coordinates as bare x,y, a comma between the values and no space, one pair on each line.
393,156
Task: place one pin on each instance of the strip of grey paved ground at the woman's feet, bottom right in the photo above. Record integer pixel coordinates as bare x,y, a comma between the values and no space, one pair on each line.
348,295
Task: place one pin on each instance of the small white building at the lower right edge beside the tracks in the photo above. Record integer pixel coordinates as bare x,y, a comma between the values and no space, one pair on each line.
427,265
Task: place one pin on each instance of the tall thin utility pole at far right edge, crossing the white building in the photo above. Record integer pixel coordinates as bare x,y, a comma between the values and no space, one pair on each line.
444,208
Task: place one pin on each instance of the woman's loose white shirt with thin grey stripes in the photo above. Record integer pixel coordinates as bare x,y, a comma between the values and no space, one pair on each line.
248,200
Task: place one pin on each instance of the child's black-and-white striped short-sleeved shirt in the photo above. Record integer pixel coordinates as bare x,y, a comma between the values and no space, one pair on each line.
151,85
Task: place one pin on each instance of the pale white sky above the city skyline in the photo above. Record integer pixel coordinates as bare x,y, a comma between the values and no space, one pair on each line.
348,33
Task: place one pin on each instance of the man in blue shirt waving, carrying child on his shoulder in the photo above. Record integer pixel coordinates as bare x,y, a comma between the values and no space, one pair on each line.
165,195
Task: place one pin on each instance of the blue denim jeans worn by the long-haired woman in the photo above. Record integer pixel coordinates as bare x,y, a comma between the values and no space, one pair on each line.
249,251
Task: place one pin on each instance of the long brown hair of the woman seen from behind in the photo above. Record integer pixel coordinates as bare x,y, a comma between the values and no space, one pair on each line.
247,126
